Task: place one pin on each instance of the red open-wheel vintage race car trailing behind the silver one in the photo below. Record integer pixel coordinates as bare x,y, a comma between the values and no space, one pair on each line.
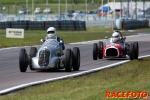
115,50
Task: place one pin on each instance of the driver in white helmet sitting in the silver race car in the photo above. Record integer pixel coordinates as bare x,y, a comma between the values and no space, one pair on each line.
51,34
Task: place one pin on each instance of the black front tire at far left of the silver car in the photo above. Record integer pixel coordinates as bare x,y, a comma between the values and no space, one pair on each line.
23,60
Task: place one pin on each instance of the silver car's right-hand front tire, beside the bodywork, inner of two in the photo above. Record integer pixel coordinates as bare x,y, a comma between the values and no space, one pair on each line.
68,60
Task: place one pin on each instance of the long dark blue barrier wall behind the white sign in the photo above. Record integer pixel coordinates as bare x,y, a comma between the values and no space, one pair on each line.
42,25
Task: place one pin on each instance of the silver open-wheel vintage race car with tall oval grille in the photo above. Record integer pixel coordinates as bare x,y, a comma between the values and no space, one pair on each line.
50,56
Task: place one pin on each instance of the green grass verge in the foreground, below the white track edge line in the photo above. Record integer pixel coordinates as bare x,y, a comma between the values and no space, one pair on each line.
132,76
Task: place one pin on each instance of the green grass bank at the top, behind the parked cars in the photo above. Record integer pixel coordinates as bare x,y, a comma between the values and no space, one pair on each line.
53,4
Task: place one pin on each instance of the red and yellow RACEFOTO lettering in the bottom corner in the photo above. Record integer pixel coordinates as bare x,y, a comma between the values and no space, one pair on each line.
127,94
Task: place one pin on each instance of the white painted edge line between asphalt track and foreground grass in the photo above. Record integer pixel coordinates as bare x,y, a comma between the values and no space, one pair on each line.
5,91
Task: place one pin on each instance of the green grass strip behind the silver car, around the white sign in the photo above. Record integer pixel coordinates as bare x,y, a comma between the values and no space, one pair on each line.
32,37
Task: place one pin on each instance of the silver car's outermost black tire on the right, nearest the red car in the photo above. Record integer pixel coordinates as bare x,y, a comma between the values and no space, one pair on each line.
76,59
